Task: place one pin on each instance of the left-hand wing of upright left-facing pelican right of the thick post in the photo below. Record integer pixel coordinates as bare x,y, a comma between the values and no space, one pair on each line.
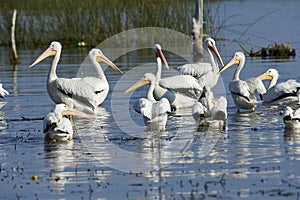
240,88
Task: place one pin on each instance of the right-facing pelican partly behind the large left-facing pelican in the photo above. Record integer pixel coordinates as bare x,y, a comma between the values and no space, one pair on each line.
99,84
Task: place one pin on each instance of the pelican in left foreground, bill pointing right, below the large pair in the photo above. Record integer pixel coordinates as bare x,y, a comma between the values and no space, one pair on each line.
56,126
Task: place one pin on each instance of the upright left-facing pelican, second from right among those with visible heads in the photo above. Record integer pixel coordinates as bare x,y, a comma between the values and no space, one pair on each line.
240,90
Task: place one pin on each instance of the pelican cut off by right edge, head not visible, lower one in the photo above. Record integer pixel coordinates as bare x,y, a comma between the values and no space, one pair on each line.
291,118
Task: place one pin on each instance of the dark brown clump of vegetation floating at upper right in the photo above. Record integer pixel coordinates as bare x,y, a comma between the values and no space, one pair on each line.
278,50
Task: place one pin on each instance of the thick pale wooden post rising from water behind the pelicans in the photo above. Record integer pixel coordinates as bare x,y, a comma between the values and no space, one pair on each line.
198,32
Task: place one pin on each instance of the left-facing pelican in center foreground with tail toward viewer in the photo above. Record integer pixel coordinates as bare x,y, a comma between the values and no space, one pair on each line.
154,112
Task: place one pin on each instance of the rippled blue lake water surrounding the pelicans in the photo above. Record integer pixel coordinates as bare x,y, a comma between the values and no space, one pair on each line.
113,157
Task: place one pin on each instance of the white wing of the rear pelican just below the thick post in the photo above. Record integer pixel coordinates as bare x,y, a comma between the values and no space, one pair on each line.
195,69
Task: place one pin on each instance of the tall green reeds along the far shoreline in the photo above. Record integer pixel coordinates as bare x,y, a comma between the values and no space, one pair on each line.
87,23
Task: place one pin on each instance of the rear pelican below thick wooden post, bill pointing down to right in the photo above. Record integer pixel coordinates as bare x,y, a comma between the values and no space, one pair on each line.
206,73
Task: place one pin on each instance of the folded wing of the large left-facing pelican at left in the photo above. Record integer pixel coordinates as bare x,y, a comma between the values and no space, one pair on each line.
77,90
